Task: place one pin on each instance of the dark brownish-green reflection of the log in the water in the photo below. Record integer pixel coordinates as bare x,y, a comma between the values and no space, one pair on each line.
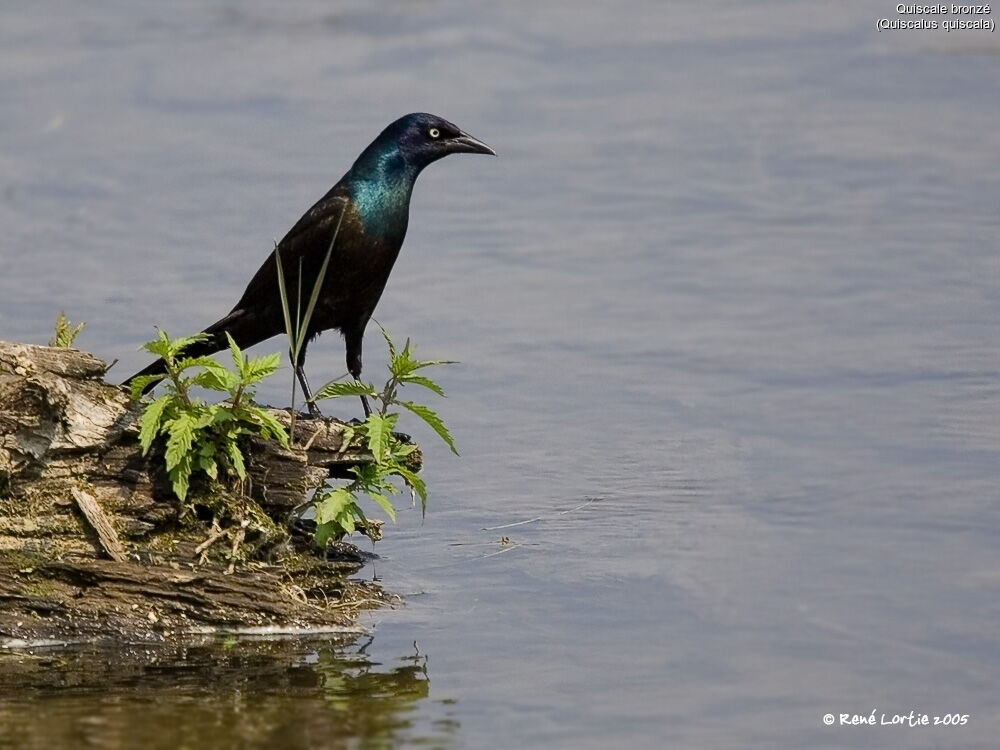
285,694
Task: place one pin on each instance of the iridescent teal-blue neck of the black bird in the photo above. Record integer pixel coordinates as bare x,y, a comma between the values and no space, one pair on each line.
381,182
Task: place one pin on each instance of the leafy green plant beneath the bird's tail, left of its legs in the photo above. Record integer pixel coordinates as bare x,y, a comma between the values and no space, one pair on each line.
200,436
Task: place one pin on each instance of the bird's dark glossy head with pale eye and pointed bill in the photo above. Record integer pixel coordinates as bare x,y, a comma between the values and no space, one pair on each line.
421,139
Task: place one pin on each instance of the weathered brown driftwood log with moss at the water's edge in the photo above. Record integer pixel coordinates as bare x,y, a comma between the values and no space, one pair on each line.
94,543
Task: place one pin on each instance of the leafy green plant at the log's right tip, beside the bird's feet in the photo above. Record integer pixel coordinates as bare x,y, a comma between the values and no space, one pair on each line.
338,512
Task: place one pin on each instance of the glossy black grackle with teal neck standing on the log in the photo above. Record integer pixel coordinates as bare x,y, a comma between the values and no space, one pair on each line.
371,206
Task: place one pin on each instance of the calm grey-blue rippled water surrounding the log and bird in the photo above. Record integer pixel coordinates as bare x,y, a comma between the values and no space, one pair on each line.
727,307
